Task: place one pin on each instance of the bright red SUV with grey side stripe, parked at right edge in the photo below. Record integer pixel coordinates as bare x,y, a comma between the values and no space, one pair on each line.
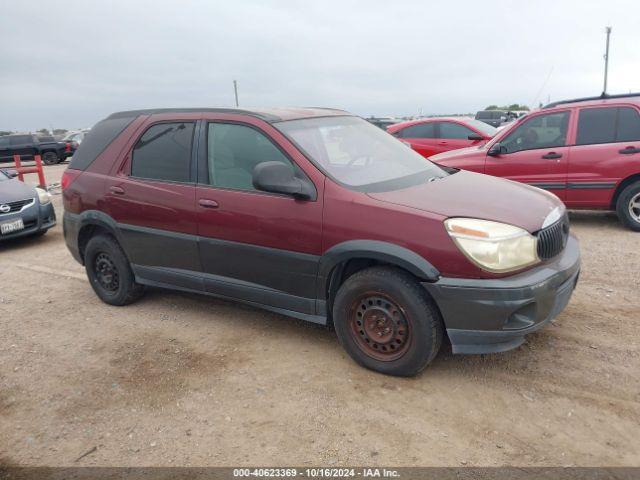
585,151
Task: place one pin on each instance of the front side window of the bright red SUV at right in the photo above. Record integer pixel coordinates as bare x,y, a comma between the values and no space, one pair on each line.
542,131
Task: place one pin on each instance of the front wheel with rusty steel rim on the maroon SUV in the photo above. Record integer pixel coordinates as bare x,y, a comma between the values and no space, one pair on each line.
387,322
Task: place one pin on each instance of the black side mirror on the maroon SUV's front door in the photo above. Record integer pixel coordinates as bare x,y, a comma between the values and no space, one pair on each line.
277,177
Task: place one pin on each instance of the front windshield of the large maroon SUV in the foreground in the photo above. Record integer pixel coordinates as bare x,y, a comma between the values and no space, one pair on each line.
356,153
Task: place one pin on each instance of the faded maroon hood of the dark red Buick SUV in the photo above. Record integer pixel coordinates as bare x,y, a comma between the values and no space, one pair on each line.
468,194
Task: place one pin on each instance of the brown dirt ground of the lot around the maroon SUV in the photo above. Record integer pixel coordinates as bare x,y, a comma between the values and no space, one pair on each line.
179,379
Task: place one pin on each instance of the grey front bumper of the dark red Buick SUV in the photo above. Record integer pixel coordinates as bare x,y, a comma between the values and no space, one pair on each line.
489,316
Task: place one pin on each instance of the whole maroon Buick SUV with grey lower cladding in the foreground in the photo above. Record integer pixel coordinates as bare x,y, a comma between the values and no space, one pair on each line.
317,214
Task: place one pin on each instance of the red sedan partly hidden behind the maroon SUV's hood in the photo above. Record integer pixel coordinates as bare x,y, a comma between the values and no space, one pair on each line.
430,136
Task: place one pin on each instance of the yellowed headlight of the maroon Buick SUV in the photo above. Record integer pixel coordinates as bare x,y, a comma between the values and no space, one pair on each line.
495,247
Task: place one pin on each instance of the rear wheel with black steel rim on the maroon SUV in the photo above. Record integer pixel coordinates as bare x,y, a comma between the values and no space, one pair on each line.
109,271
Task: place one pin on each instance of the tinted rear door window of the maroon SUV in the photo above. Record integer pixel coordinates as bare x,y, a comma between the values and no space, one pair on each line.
164,152
